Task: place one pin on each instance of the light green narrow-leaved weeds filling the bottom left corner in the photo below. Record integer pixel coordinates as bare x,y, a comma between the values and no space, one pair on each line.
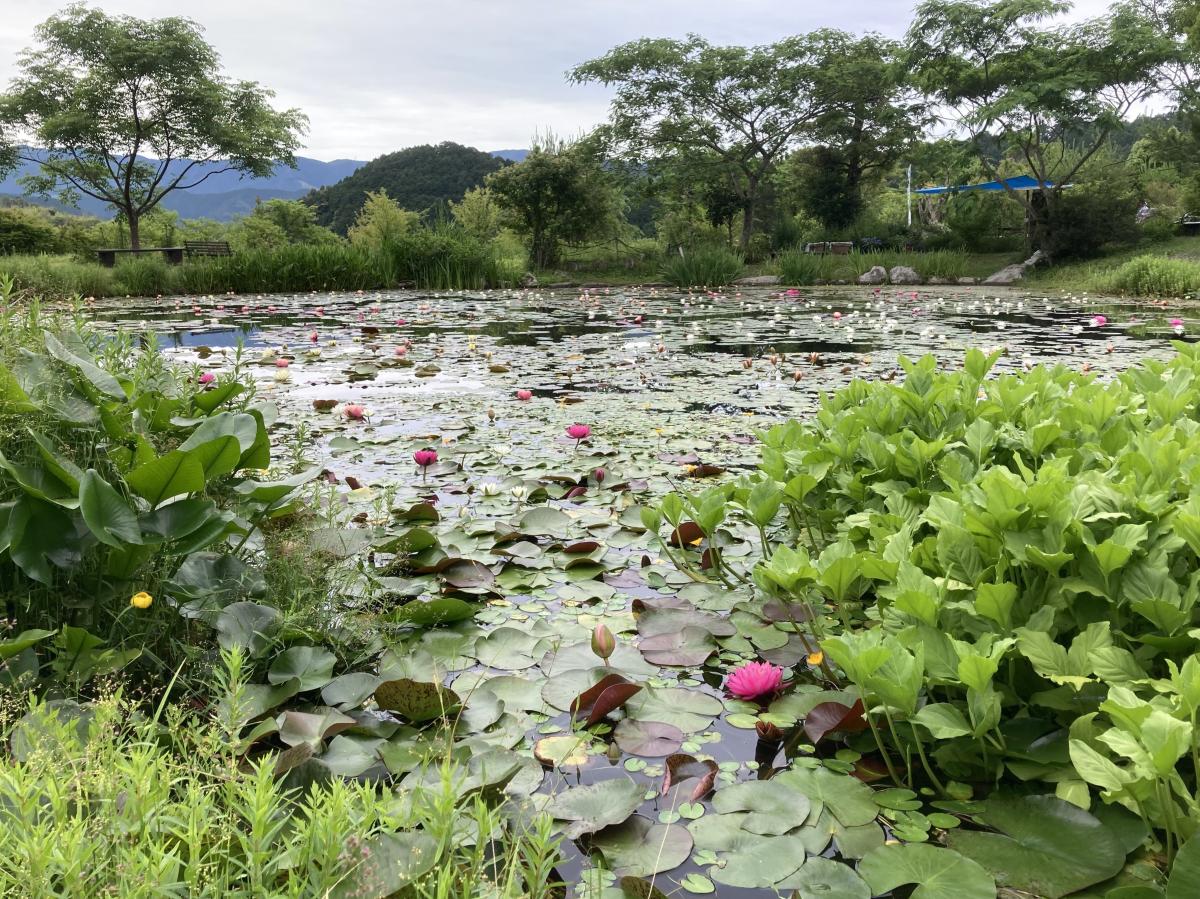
101,801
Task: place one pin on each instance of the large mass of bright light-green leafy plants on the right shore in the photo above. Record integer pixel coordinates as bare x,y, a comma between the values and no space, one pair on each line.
1005,572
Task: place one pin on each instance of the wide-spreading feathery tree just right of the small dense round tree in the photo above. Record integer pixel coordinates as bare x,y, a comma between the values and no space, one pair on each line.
699,106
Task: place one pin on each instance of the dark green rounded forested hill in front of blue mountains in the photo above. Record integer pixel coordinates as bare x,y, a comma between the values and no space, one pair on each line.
417,178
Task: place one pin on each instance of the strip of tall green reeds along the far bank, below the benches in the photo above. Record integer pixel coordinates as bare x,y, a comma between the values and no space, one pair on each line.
439,260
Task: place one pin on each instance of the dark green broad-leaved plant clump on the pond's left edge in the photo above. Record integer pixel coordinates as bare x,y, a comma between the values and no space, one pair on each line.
117,475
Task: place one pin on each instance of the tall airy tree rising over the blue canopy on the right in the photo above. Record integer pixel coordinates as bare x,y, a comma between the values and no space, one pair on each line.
1049,95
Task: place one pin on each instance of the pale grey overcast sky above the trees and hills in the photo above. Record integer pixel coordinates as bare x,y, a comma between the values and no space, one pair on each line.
376,76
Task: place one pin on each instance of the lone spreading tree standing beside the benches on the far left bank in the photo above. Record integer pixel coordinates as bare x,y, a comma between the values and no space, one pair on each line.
128,111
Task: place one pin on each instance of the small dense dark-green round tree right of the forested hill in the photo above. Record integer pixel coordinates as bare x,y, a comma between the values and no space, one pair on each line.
560,194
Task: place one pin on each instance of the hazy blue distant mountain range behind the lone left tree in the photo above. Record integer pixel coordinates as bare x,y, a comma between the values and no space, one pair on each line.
226,196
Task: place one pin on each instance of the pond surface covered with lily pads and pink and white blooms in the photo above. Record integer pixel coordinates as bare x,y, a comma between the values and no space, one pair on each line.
674,386
